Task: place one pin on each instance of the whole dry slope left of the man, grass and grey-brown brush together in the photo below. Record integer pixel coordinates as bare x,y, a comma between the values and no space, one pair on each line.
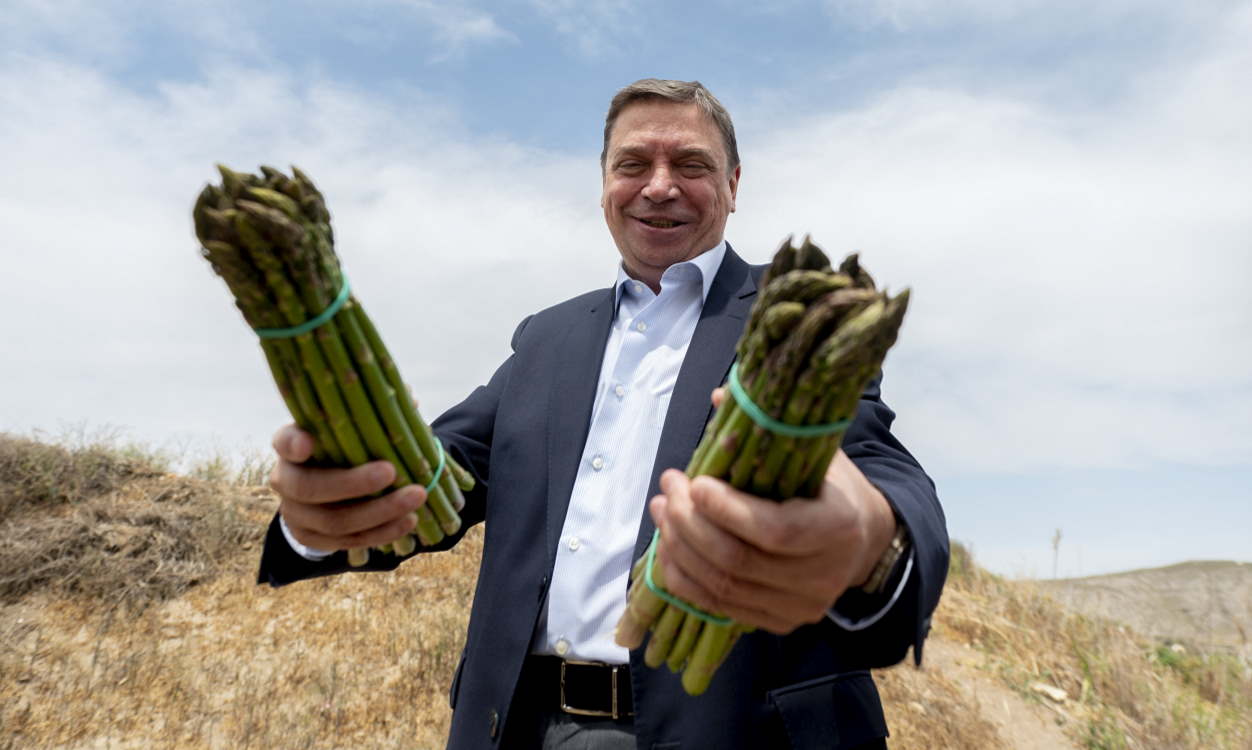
140,624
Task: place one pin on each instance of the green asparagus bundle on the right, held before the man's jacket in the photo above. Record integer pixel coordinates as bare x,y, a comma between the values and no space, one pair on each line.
813,341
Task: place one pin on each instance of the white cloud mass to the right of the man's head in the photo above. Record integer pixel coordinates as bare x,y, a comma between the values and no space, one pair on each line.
1080,279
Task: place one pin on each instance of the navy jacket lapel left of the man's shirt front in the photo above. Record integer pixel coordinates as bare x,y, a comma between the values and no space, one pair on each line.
574,393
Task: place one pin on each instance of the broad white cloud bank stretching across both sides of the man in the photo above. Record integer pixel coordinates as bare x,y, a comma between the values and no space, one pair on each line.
1080,279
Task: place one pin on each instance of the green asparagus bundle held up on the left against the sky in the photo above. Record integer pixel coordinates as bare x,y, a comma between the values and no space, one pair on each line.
270,239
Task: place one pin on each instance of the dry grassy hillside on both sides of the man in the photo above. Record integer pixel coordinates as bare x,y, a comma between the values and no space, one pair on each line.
130,619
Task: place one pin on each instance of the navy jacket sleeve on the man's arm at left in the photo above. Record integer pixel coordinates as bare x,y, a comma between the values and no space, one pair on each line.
466,433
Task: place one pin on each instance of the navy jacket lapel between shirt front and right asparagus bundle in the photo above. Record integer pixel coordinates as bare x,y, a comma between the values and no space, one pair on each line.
704,367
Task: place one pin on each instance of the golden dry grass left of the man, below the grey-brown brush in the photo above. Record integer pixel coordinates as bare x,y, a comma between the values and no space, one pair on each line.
352,662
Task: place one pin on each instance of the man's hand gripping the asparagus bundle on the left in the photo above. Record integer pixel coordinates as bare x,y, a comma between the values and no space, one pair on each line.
324,508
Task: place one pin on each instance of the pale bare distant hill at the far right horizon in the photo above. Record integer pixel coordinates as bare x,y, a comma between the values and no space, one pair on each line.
1206,604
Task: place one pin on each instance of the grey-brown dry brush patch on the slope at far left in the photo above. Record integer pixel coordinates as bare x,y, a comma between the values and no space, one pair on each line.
106,525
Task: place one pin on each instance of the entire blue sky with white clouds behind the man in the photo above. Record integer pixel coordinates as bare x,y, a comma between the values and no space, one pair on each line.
1065,186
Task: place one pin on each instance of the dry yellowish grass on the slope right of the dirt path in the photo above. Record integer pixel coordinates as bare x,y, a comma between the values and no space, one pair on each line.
1120,688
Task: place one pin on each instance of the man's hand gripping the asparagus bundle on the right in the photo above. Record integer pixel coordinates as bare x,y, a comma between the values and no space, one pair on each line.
773,565
